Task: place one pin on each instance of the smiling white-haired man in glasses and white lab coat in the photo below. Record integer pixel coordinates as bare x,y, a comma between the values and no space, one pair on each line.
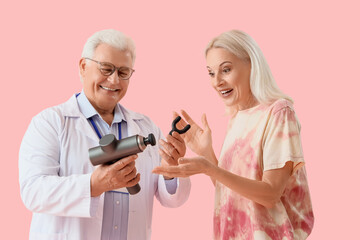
69,198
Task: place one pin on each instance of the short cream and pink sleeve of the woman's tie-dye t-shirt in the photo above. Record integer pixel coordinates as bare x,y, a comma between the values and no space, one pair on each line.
282,141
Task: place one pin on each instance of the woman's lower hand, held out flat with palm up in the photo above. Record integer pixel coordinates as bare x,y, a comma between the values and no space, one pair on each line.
187,167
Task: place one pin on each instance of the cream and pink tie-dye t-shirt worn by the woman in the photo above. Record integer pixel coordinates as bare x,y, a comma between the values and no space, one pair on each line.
262,138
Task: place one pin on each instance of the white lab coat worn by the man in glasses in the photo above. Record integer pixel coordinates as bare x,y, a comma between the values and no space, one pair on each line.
55,171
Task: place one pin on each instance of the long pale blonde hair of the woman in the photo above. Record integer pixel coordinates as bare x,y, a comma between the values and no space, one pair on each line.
262,83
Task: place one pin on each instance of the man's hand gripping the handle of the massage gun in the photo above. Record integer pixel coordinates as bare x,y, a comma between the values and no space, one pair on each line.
108,177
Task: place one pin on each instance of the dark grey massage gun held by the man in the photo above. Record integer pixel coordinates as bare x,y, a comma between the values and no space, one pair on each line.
111,150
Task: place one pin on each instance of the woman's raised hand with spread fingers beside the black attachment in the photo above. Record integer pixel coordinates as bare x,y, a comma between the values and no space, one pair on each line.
197,139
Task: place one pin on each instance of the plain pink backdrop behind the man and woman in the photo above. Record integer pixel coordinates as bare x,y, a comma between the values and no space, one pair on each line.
312,48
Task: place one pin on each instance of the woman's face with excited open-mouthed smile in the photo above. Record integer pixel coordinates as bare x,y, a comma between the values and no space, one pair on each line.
230,77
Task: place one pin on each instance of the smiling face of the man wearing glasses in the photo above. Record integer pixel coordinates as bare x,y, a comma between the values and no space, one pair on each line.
104,92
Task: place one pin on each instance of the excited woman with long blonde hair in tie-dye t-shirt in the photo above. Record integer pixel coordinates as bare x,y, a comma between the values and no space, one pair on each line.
260,178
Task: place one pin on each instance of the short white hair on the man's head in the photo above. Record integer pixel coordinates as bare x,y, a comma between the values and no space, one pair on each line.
111,37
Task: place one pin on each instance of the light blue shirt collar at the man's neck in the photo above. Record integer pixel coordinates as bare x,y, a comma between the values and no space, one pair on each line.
89,111
